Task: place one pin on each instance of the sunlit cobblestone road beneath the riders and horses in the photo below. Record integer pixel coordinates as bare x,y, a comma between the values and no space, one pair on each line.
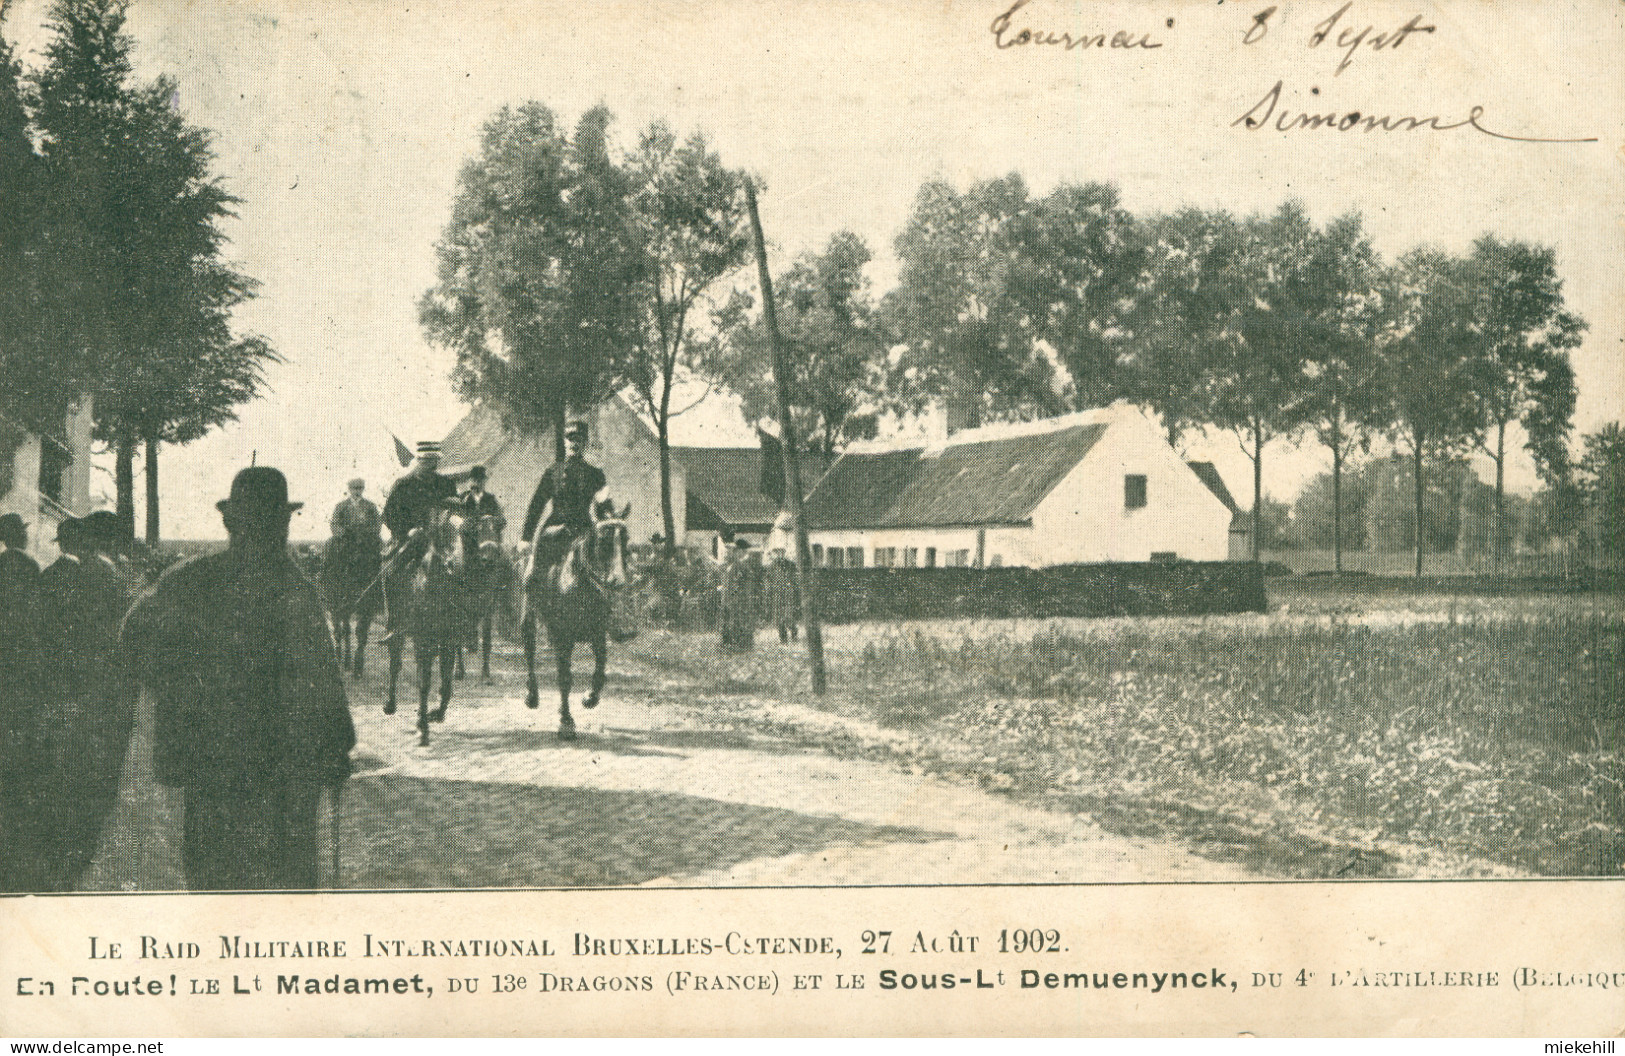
662,787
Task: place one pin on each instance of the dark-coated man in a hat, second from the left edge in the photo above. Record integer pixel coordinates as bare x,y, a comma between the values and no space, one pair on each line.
89,711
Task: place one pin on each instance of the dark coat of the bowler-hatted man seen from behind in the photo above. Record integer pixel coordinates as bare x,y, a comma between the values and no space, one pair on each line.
246,686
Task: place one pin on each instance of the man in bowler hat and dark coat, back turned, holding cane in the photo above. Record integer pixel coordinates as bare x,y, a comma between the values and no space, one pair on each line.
253,721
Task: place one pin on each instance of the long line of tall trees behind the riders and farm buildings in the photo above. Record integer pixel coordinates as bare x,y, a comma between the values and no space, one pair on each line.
570,270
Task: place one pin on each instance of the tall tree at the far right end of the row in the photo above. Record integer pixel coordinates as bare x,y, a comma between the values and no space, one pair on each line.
1522,337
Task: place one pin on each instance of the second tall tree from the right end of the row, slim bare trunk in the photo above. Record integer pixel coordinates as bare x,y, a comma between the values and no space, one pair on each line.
1429,387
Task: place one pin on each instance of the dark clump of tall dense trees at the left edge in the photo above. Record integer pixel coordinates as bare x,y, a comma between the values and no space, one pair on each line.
113,285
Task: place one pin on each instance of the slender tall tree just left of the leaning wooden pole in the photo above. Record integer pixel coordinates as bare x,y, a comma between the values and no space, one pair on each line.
691,230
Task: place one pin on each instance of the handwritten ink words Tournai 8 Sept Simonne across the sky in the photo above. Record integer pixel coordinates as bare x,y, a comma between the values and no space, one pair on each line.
1343,33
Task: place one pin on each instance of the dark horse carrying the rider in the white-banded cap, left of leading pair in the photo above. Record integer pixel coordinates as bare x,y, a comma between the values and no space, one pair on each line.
431,602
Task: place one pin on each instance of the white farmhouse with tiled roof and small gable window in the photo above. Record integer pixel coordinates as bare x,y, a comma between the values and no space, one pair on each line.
1096,487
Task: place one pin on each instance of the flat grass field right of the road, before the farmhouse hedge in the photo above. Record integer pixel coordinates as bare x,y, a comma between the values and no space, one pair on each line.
1346,734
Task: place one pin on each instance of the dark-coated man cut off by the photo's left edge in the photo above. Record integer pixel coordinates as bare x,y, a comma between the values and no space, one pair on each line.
20,753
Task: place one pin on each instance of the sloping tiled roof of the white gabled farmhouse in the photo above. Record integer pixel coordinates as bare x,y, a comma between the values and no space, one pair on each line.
990,482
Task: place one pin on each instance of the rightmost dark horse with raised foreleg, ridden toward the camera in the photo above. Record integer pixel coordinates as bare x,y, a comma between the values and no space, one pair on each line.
574,600
